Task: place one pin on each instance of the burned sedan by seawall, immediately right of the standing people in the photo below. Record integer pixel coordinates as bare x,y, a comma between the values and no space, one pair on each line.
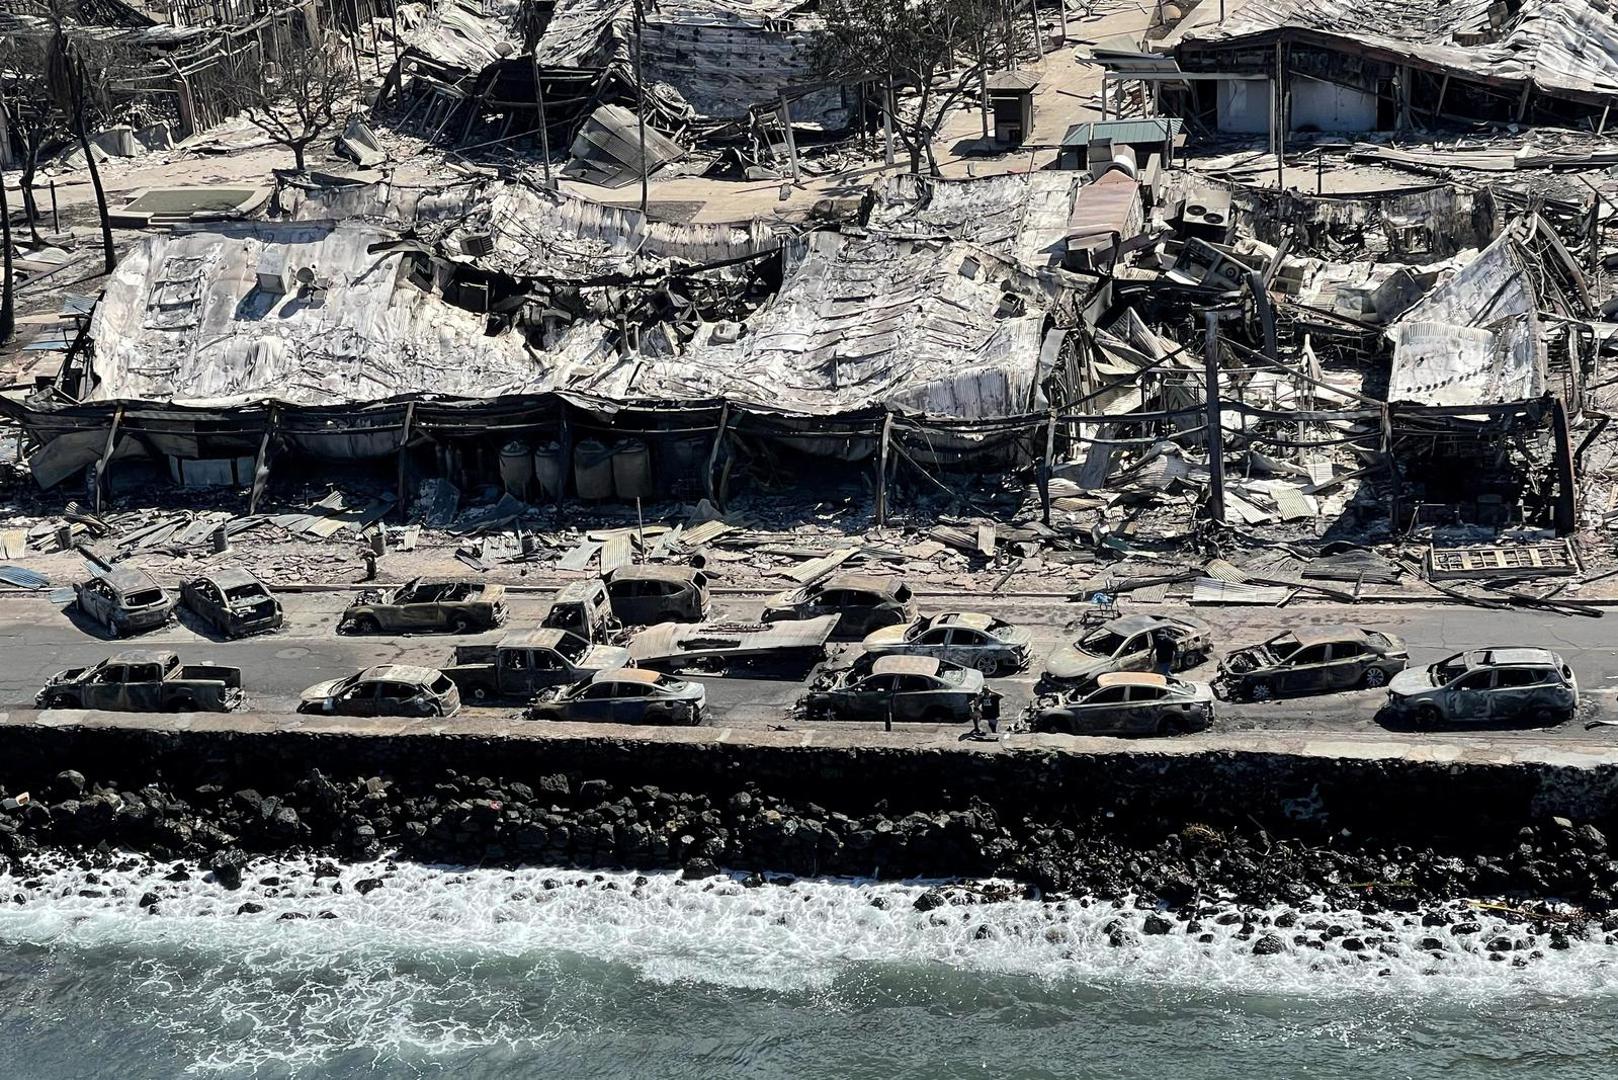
1127,704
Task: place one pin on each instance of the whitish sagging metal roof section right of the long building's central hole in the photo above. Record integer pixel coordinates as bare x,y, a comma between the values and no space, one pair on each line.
941,328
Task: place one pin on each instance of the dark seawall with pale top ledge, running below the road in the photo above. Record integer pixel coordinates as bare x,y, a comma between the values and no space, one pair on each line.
1410,791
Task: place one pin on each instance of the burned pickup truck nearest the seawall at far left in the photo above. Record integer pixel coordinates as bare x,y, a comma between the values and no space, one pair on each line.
145,682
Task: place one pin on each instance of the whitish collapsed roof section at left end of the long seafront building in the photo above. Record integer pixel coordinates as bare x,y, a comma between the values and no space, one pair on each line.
300,313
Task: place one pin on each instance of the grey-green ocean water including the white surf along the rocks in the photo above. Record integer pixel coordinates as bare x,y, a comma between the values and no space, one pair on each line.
493,974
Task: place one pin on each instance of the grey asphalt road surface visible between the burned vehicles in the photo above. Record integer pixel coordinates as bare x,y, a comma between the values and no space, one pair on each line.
40,639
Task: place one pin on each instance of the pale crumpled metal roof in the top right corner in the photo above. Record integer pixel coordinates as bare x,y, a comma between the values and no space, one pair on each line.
1562,48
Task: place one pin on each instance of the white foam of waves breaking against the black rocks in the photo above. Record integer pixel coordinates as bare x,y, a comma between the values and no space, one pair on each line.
426,963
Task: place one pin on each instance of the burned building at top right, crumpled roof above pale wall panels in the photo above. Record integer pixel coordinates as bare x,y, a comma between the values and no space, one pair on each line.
1389,66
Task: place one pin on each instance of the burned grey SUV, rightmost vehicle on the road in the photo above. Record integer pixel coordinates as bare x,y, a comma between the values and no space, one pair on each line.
1496,686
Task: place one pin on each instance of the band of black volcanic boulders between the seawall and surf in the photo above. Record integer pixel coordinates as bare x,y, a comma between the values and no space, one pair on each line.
1556,877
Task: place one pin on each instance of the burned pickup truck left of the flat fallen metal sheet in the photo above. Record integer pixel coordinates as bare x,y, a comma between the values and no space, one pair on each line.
527,663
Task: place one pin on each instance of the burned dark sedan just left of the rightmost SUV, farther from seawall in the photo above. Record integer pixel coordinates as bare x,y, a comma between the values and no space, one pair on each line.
1313,660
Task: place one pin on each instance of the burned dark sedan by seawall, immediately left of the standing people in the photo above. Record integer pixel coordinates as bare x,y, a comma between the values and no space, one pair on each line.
904,689
